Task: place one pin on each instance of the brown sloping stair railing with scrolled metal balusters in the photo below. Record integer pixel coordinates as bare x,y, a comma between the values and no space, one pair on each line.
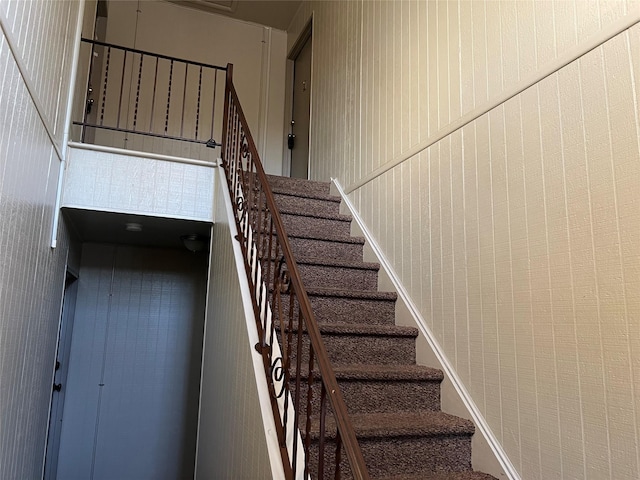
313,428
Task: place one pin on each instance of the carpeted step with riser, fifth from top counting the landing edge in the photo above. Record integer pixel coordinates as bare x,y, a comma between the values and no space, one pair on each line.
343,274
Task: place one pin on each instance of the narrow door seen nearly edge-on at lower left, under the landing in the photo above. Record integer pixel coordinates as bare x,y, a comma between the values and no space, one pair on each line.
60,377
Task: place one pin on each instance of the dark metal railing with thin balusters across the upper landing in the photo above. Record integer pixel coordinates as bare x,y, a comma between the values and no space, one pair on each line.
135,92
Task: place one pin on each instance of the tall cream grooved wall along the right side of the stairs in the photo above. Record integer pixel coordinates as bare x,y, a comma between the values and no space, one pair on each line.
517,237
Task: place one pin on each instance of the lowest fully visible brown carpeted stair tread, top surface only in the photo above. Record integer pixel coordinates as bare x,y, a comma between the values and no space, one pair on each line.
423,423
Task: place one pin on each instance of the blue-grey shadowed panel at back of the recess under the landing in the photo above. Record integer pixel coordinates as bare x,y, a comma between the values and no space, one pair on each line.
131,408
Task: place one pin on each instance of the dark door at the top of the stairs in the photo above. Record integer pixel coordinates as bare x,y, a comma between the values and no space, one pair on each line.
301,109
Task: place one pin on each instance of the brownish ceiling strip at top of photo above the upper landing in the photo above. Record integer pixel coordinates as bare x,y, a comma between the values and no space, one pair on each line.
273,13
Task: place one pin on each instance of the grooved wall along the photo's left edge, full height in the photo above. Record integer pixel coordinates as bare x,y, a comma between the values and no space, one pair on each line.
31,273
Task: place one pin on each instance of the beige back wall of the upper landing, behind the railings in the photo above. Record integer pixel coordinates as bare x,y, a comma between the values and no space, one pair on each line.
257,53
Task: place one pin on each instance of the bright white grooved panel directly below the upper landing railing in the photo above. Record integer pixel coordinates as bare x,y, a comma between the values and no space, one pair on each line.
123,183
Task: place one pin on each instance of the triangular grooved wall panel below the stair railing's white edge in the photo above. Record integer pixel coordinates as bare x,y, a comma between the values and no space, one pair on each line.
231,441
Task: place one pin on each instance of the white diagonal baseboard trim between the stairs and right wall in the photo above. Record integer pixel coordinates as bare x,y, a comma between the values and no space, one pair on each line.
474,412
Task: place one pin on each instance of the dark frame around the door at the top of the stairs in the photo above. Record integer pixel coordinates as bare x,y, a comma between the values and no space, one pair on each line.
305,34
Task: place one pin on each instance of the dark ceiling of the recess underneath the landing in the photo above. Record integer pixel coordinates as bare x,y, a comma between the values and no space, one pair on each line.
108,227
